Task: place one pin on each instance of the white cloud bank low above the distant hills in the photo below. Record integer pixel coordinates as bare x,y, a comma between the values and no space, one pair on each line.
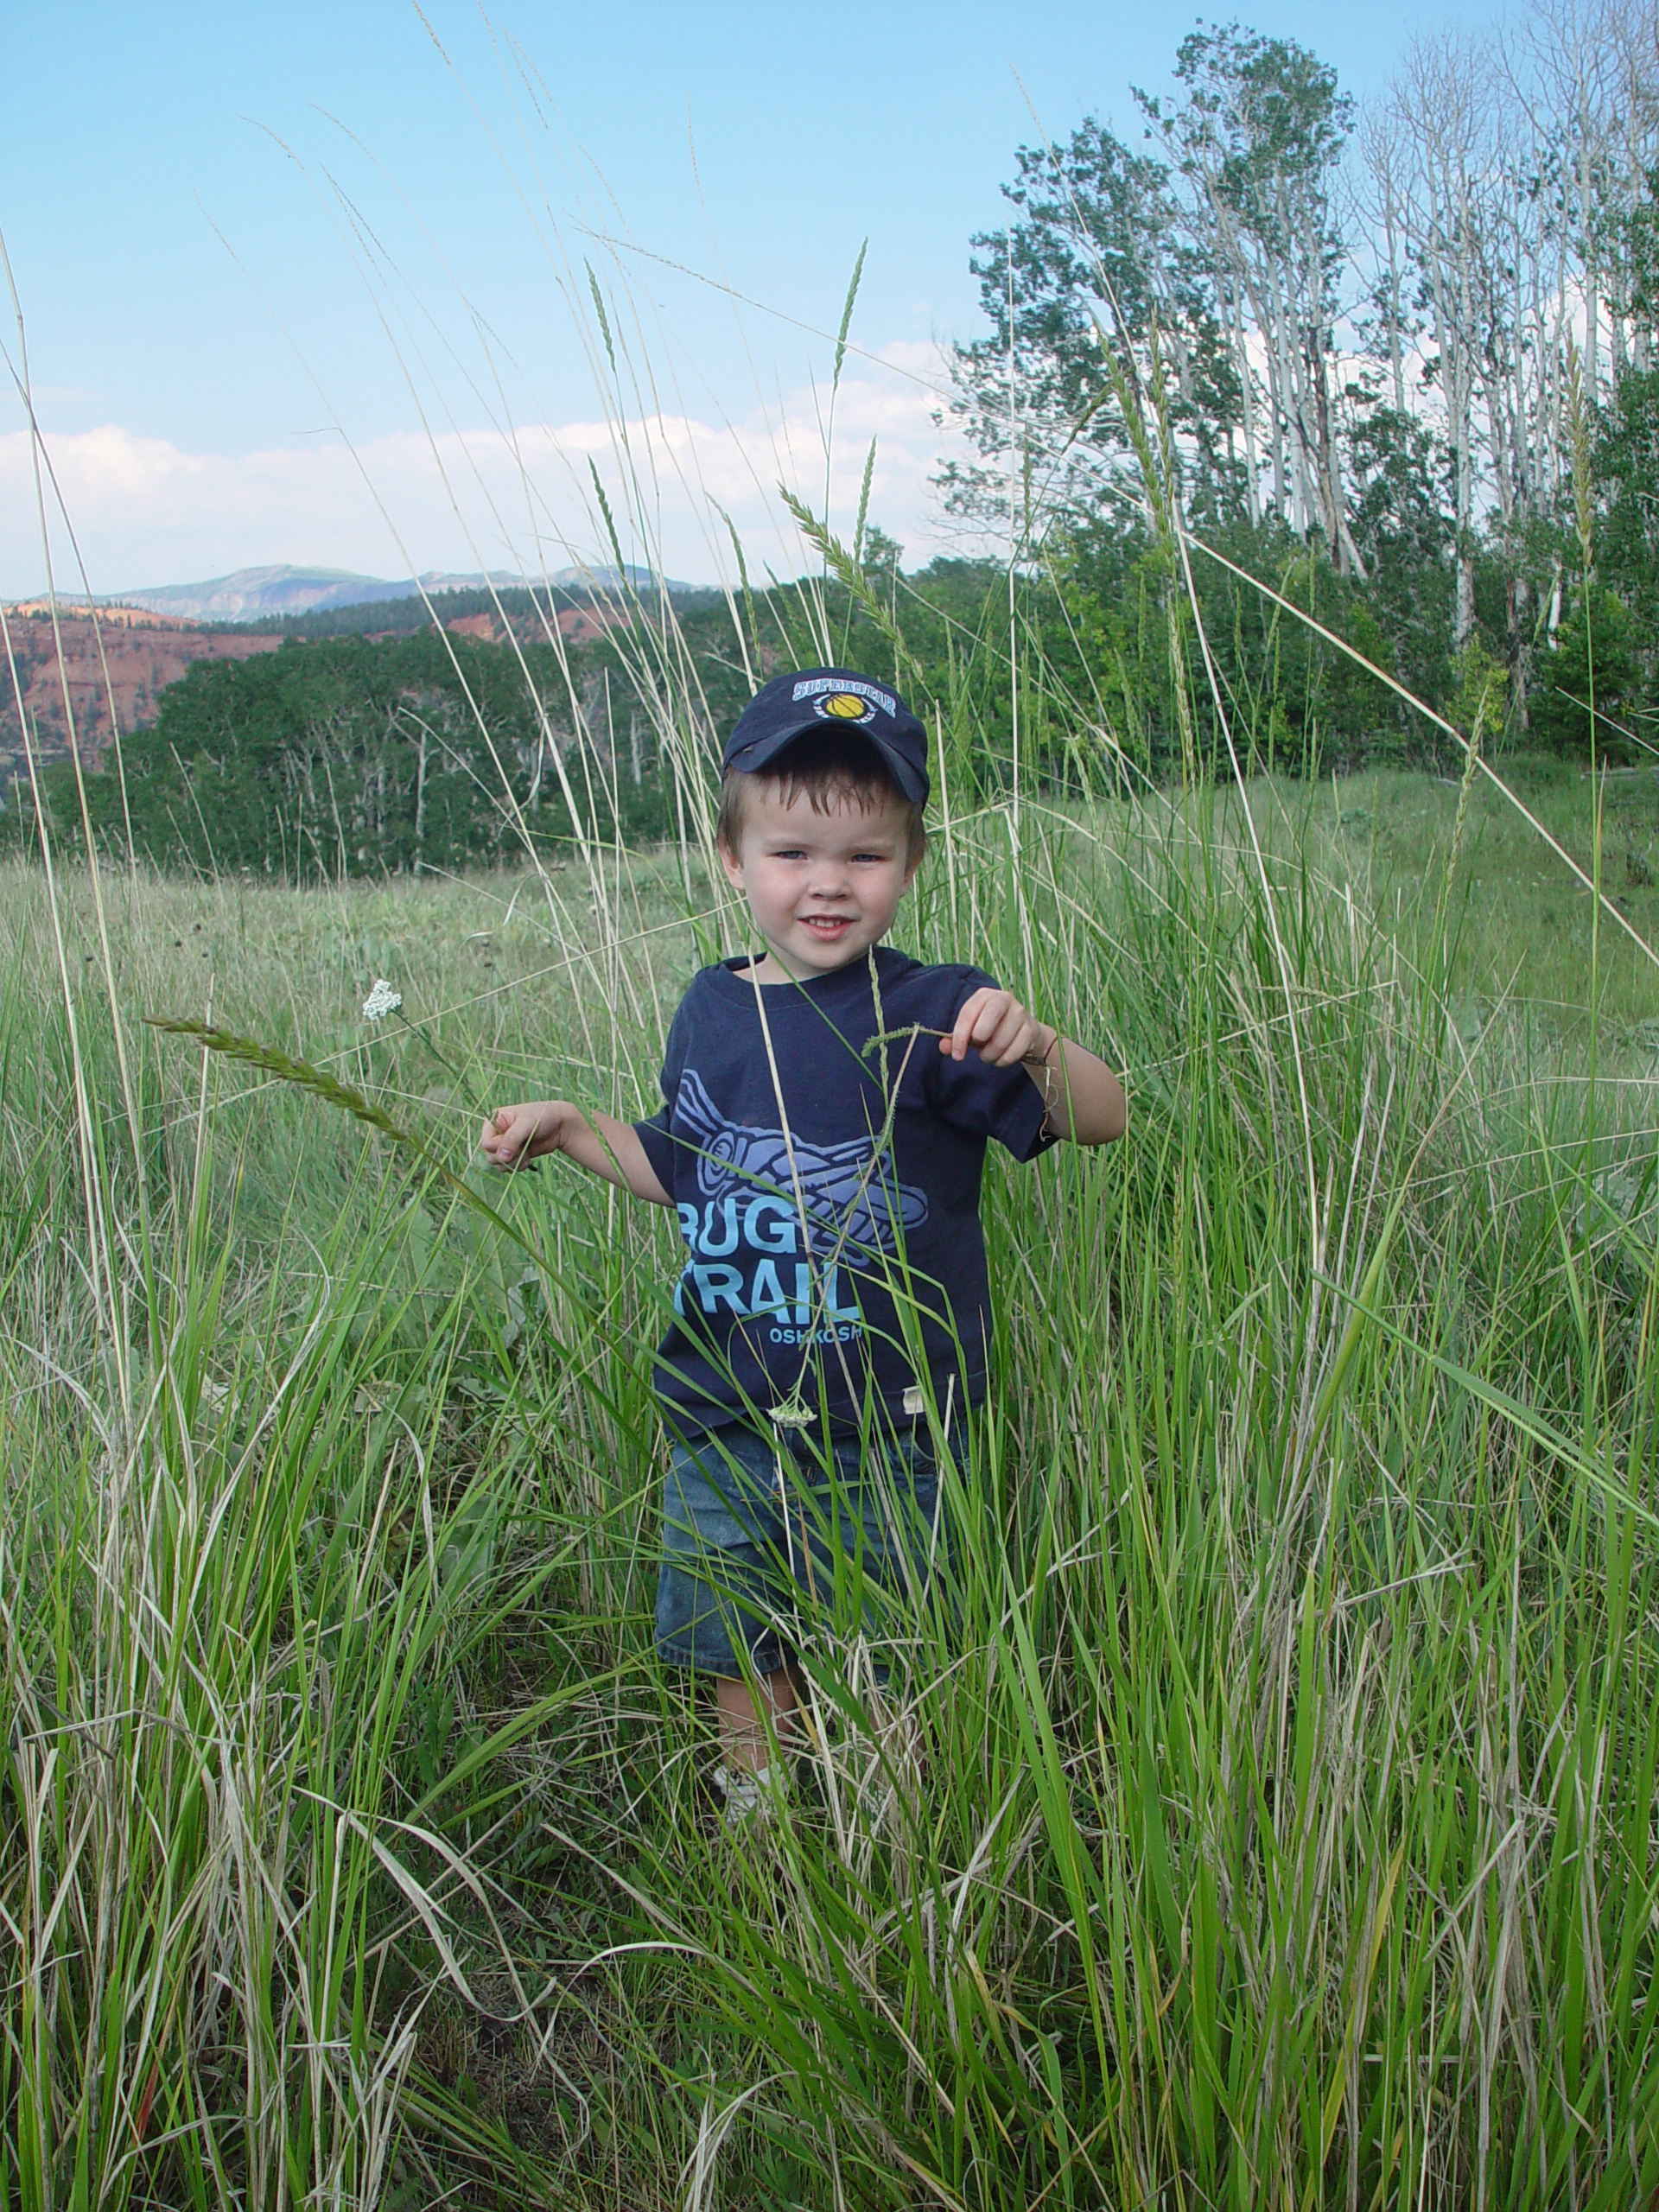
149,512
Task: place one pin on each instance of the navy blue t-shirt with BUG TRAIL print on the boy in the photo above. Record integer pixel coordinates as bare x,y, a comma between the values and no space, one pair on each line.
795,1249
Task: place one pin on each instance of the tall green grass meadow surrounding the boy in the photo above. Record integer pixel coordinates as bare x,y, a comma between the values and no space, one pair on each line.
1269,1819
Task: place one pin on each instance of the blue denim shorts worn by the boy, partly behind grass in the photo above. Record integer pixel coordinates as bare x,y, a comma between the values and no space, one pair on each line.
753,1561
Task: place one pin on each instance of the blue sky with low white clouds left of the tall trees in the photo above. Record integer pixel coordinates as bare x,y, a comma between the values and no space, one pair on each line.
180,187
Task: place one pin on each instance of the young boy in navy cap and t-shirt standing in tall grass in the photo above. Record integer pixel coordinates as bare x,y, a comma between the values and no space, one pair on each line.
826,1112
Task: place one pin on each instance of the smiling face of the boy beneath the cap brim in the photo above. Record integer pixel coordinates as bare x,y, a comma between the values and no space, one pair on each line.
822,888
